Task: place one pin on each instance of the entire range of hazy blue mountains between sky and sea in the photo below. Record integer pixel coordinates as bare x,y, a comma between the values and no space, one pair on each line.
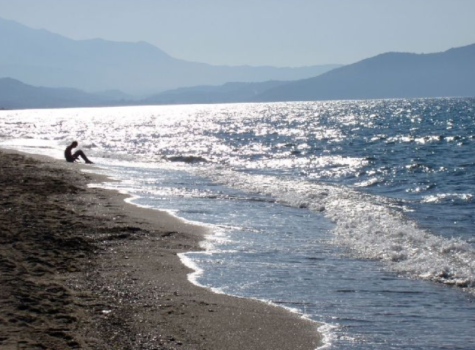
40,58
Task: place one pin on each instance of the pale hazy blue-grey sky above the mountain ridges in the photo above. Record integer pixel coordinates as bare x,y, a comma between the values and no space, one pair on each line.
259,32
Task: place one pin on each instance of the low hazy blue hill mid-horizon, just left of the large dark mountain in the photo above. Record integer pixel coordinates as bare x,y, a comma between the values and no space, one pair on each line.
227,93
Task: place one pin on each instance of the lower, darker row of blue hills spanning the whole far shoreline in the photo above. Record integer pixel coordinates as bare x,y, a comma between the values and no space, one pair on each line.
390,75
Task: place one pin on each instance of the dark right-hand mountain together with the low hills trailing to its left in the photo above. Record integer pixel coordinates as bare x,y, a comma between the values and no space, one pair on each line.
390,75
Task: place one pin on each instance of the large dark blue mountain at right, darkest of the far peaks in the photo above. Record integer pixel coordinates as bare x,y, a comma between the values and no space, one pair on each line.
390,75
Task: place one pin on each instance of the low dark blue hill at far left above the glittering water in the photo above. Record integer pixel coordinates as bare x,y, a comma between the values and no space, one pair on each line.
17,95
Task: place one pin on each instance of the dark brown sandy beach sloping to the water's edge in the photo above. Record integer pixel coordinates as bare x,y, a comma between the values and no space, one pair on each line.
81,269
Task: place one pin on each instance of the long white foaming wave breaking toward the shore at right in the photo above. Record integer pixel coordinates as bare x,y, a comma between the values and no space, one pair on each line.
369,226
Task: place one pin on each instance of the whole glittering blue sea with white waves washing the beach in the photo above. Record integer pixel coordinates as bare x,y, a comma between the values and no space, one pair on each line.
357,214
